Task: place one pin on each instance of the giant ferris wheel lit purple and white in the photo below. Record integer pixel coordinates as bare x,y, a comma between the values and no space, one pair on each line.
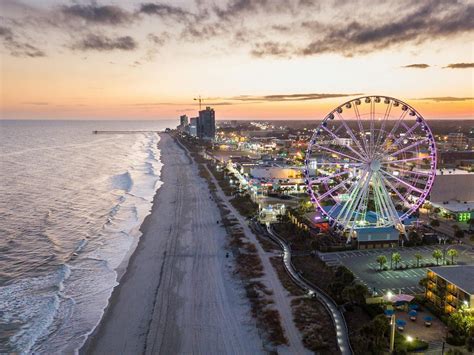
371,162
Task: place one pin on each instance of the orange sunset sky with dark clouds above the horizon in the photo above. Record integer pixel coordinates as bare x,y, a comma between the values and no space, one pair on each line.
257,59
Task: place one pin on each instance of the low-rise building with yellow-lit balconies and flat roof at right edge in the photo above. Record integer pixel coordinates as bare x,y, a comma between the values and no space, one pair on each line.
451,287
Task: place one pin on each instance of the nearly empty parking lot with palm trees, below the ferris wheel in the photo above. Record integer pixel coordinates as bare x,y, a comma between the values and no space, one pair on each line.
366,269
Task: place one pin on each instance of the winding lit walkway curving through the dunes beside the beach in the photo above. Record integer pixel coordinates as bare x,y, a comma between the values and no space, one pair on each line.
337,317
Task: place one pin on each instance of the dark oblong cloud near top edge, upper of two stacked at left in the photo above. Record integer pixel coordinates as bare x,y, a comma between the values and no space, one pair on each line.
95,14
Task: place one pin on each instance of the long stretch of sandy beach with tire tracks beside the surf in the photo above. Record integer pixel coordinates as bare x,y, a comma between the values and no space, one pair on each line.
177,295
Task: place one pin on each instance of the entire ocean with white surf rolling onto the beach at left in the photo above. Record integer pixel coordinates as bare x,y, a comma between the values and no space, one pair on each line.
71,205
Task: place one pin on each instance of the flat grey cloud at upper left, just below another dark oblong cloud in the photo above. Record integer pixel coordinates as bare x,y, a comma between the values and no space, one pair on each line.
104,43
